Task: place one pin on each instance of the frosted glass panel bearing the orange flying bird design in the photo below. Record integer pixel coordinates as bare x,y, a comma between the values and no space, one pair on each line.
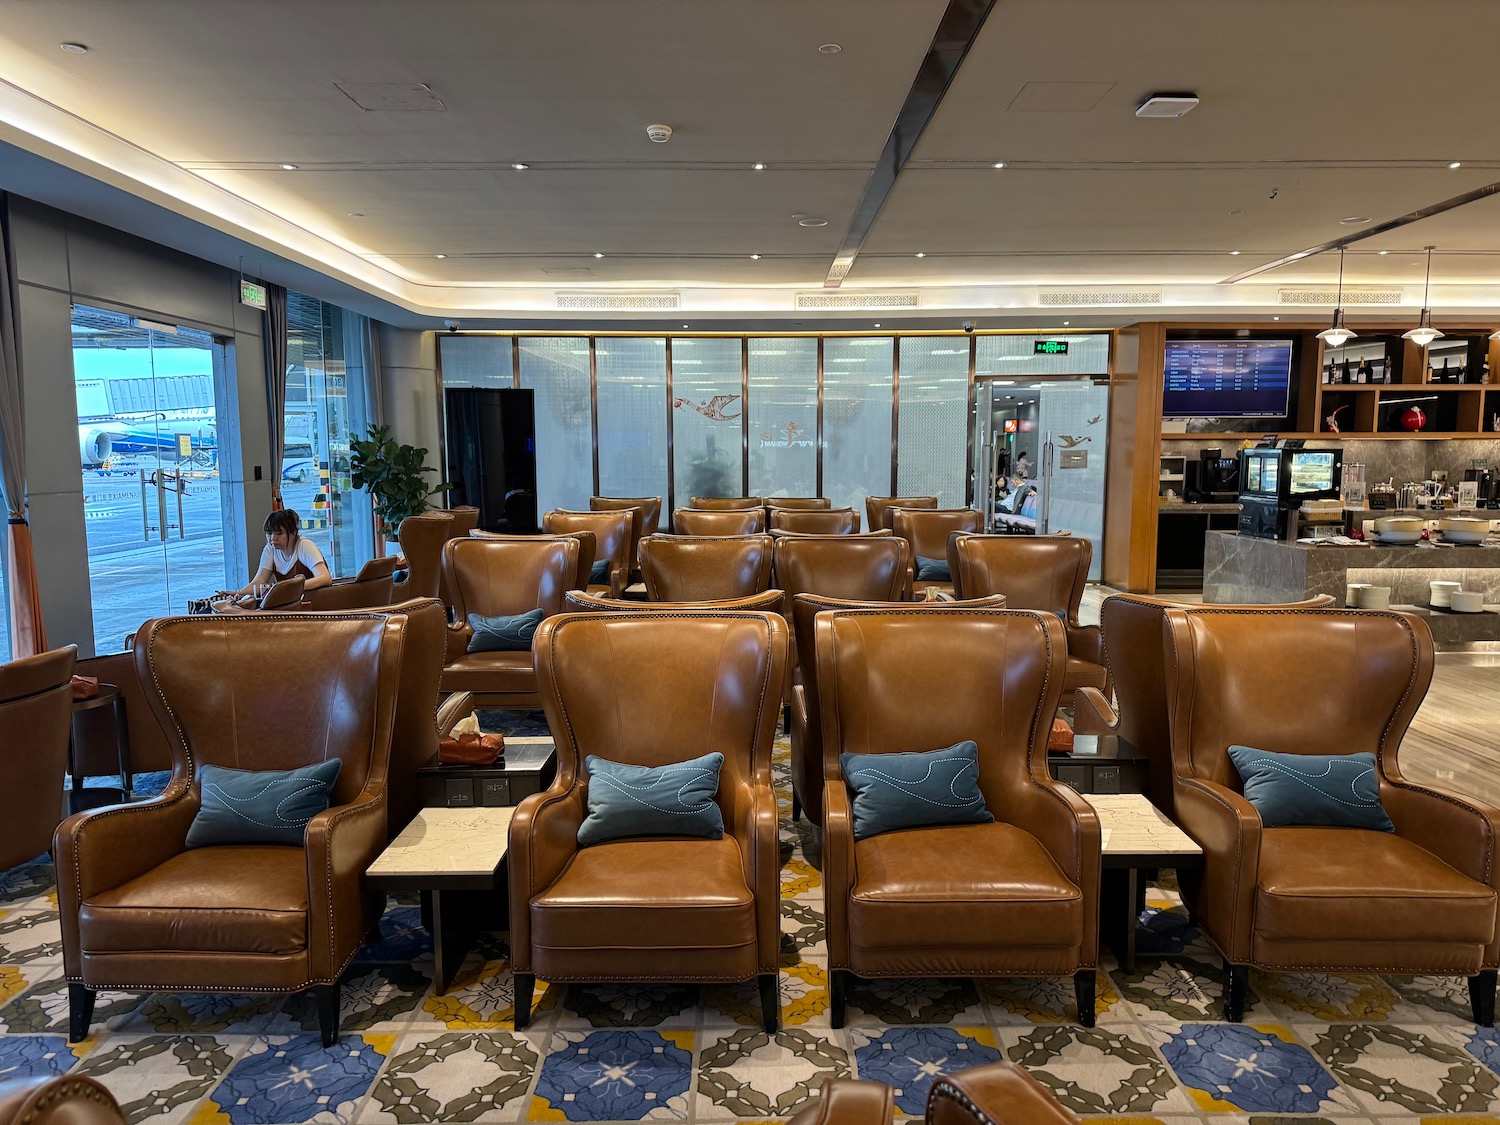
707,419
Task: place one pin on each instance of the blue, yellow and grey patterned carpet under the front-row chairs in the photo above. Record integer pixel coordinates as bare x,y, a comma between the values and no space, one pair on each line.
1313,1049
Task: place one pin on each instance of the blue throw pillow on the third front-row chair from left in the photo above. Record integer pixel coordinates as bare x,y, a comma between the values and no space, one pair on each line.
916,790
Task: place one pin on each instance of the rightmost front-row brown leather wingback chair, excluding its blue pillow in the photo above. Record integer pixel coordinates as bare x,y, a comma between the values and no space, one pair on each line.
1418,901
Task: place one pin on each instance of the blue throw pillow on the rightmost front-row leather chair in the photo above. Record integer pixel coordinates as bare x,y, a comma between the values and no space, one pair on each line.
1337,791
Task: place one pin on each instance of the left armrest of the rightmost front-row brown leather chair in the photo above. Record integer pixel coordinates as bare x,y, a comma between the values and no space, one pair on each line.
1228,829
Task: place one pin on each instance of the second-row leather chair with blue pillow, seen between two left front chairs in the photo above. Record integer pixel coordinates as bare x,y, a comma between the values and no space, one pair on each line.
503,575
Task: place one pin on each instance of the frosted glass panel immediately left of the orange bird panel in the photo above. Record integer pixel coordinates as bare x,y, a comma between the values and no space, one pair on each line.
632,418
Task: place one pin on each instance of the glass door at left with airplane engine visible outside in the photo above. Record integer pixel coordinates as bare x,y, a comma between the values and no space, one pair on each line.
148,436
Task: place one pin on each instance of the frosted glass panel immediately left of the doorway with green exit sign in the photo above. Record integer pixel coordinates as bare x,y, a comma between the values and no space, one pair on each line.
932,436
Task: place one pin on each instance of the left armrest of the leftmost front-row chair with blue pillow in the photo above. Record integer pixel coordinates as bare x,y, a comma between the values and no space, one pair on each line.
106,848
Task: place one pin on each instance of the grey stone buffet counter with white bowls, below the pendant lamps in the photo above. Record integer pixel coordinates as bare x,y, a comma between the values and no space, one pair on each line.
1238,569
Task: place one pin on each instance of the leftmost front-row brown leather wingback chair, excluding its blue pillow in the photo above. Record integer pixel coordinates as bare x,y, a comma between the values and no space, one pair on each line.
140,911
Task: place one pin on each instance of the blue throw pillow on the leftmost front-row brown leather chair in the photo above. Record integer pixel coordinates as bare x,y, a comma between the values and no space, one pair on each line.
260,806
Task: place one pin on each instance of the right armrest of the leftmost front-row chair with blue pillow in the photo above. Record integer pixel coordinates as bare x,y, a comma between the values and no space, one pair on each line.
341,845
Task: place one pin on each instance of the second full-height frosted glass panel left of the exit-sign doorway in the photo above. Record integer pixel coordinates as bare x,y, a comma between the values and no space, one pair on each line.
857,421
